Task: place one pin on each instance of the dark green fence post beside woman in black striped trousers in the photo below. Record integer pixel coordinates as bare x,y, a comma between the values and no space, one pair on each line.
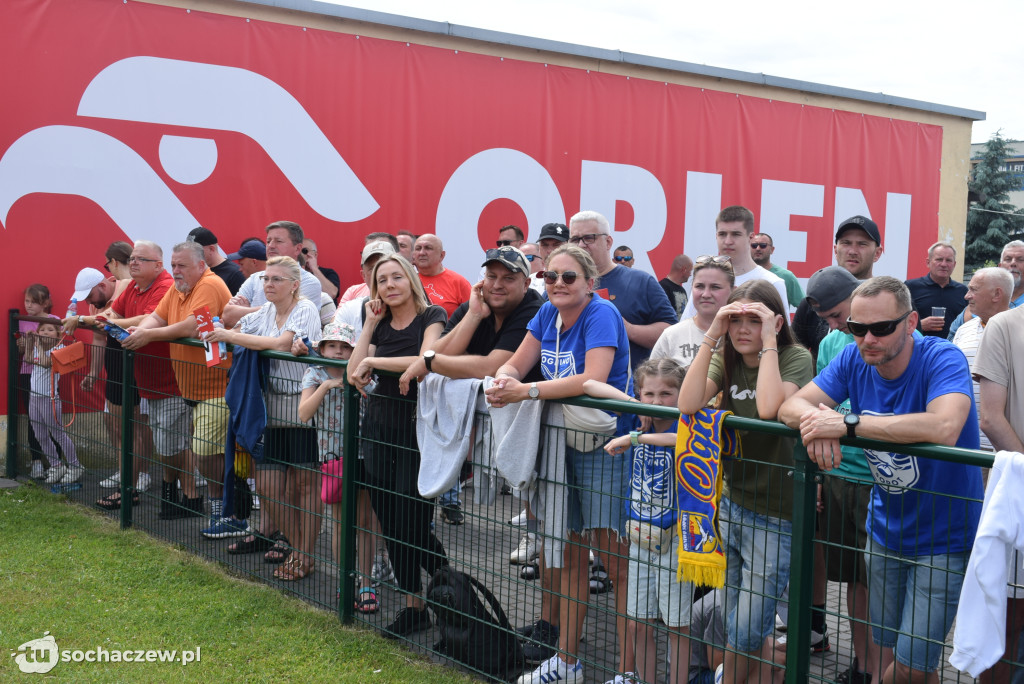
350,489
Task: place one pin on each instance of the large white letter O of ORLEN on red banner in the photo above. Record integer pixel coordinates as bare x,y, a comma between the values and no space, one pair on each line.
489,176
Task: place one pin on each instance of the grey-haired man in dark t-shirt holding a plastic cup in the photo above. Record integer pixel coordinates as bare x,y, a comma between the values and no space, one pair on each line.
937,298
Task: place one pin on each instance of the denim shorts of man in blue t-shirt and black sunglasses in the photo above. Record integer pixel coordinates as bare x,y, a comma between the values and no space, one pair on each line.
918,596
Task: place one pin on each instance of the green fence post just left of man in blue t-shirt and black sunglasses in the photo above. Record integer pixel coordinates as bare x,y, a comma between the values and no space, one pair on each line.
798,652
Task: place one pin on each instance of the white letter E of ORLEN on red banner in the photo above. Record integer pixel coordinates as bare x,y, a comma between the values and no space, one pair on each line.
780,201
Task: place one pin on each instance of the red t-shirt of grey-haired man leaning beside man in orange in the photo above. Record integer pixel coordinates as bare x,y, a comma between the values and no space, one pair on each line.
154,374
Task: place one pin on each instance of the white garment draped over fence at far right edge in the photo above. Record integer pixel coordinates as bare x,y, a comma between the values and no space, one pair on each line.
980,636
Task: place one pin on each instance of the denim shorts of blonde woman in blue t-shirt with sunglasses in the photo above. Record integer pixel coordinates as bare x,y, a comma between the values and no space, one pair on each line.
599,489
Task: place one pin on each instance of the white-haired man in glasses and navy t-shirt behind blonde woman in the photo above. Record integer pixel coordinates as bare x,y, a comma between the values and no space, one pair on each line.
637,295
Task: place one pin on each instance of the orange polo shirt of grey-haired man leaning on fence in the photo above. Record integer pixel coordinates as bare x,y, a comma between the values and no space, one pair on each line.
196,381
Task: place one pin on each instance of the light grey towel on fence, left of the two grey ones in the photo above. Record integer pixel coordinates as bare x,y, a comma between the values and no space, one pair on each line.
445,423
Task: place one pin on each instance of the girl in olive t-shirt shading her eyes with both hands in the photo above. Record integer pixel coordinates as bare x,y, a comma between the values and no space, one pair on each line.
750,355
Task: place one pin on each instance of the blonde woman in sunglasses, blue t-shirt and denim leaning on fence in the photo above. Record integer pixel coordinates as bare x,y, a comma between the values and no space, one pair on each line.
590,344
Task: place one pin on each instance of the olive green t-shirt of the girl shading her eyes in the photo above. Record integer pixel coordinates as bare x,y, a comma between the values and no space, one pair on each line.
761,482
